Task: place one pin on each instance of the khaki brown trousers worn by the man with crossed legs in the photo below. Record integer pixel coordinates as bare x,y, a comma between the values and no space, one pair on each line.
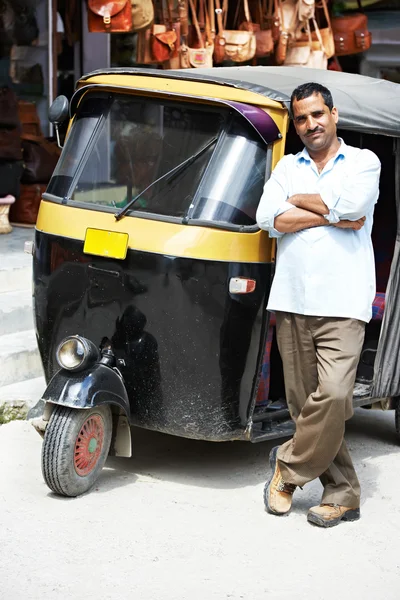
320,357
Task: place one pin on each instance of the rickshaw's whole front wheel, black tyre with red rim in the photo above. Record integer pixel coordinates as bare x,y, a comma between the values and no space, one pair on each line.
75,448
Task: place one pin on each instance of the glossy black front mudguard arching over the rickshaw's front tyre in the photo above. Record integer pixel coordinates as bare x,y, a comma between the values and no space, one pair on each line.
95,386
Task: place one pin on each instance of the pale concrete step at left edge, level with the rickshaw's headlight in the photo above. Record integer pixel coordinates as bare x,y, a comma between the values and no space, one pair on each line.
19,357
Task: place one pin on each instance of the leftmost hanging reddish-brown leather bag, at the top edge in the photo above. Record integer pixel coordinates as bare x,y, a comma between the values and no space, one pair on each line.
109,16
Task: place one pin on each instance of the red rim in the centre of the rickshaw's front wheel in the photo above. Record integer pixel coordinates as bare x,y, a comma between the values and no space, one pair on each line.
88,445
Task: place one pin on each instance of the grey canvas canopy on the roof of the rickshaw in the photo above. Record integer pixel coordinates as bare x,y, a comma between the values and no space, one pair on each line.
364,103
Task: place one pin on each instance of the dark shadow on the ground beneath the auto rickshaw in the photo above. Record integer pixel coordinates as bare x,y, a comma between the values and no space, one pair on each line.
232,465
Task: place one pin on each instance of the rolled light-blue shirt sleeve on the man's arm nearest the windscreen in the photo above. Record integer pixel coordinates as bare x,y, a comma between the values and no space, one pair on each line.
274,200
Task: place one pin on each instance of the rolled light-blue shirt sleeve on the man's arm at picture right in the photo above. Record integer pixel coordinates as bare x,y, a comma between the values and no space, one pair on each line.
356,194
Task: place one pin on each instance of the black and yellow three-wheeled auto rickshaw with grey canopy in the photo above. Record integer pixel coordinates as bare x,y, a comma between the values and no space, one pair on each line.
151,277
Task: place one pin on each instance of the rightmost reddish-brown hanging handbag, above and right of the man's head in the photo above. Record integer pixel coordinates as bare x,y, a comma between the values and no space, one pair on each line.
351,33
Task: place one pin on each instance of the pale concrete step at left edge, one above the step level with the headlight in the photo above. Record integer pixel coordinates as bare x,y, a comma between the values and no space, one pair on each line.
15,311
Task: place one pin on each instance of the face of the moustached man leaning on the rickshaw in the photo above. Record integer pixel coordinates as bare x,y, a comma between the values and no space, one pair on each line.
315,124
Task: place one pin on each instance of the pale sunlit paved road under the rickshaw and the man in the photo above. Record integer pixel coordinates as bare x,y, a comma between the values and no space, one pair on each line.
184,520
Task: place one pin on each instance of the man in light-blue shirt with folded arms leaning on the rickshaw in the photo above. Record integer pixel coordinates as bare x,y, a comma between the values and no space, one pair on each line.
319,203
